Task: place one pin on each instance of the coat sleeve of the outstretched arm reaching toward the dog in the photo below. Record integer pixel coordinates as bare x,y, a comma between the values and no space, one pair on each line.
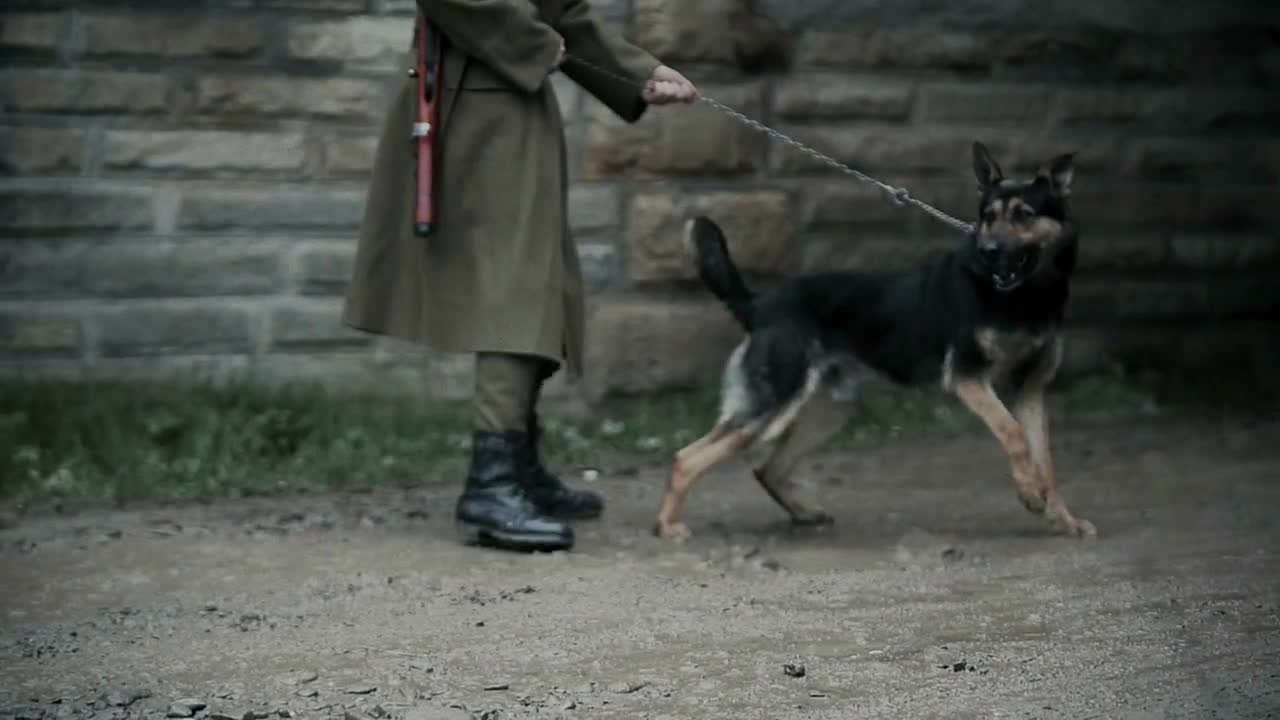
588,38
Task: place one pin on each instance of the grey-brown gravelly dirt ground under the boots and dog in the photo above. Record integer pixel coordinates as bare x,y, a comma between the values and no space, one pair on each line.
934,596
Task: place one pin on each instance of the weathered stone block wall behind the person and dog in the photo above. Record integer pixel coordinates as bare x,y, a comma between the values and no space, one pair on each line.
181,185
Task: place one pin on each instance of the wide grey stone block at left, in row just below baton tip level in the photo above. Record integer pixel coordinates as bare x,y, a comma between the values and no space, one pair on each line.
182,270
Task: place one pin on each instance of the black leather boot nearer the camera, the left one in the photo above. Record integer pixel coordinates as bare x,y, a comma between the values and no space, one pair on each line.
496,508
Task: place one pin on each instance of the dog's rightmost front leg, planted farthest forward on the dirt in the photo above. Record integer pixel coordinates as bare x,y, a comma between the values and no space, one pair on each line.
1028,409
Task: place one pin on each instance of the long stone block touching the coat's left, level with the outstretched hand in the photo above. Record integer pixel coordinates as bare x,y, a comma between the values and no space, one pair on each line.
340,99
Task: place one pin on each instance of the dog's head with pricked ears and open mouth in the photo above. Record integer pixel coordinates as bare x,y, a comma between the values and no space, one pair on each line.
1021,222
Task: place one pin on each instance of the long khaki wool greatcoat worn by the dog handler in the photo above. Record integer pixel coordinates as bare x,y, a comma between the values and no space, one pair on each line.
501,272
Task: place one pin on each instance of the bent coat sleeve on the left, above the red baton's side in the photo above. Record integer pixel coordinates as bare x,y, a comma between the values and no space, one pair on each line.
505,35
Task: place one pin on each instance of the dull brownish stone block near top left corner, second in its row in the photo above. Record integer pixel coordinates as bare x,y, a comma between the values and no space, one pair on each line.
177,37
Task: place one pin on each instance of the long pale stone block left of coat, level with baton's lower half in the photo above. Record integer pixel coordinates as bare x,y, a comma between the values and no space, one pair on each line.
205,152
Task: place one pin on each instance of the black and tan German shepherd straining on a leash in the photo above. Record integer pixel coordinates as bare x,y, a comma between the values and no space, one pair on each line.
982,317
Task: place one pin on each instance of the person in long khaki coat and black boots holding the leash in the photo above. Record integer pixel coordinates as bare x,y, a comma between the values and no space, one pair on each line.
500,277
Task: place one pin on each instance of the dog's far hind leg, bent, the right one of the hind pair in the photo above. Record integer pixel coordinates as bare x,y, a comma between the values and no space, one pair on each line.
816,425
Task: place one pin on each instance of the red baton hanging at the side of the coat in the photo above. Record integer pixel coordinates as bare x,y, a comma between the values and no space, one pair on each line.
427,70
